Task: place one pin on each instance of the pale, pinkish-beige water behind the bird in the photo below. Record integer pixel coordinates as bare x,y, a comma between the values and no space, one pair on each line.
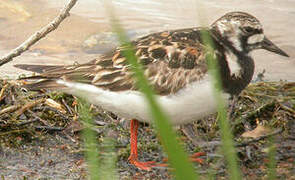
85,34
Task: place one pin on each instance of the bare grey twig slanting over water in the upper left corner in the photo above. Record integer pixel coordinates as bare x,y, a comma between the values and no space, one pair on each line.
39,34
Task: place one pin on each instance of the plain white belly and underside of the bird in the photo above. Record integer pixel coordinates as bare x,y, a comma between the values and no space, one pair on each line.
191,103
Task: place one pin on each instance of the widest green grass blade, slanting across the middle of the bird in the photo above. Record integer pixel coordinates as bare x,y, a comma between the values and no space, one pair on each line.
176,154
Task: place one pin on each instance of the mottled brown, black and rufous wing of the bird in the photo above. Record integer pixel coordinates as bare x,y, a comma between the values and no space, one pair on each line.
171,60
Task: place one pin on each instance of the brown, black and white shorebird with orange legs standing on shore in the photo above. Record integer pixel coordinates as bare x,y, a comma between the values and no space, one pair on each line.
174,62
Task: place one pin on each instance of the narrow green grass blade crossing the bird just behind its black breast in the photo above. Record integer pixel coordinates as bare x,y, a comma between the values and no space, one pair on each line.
226,135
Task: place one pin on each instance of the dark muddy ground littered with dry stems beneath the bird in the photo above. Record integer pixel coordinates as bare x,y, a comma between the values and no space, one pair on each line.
40,136
